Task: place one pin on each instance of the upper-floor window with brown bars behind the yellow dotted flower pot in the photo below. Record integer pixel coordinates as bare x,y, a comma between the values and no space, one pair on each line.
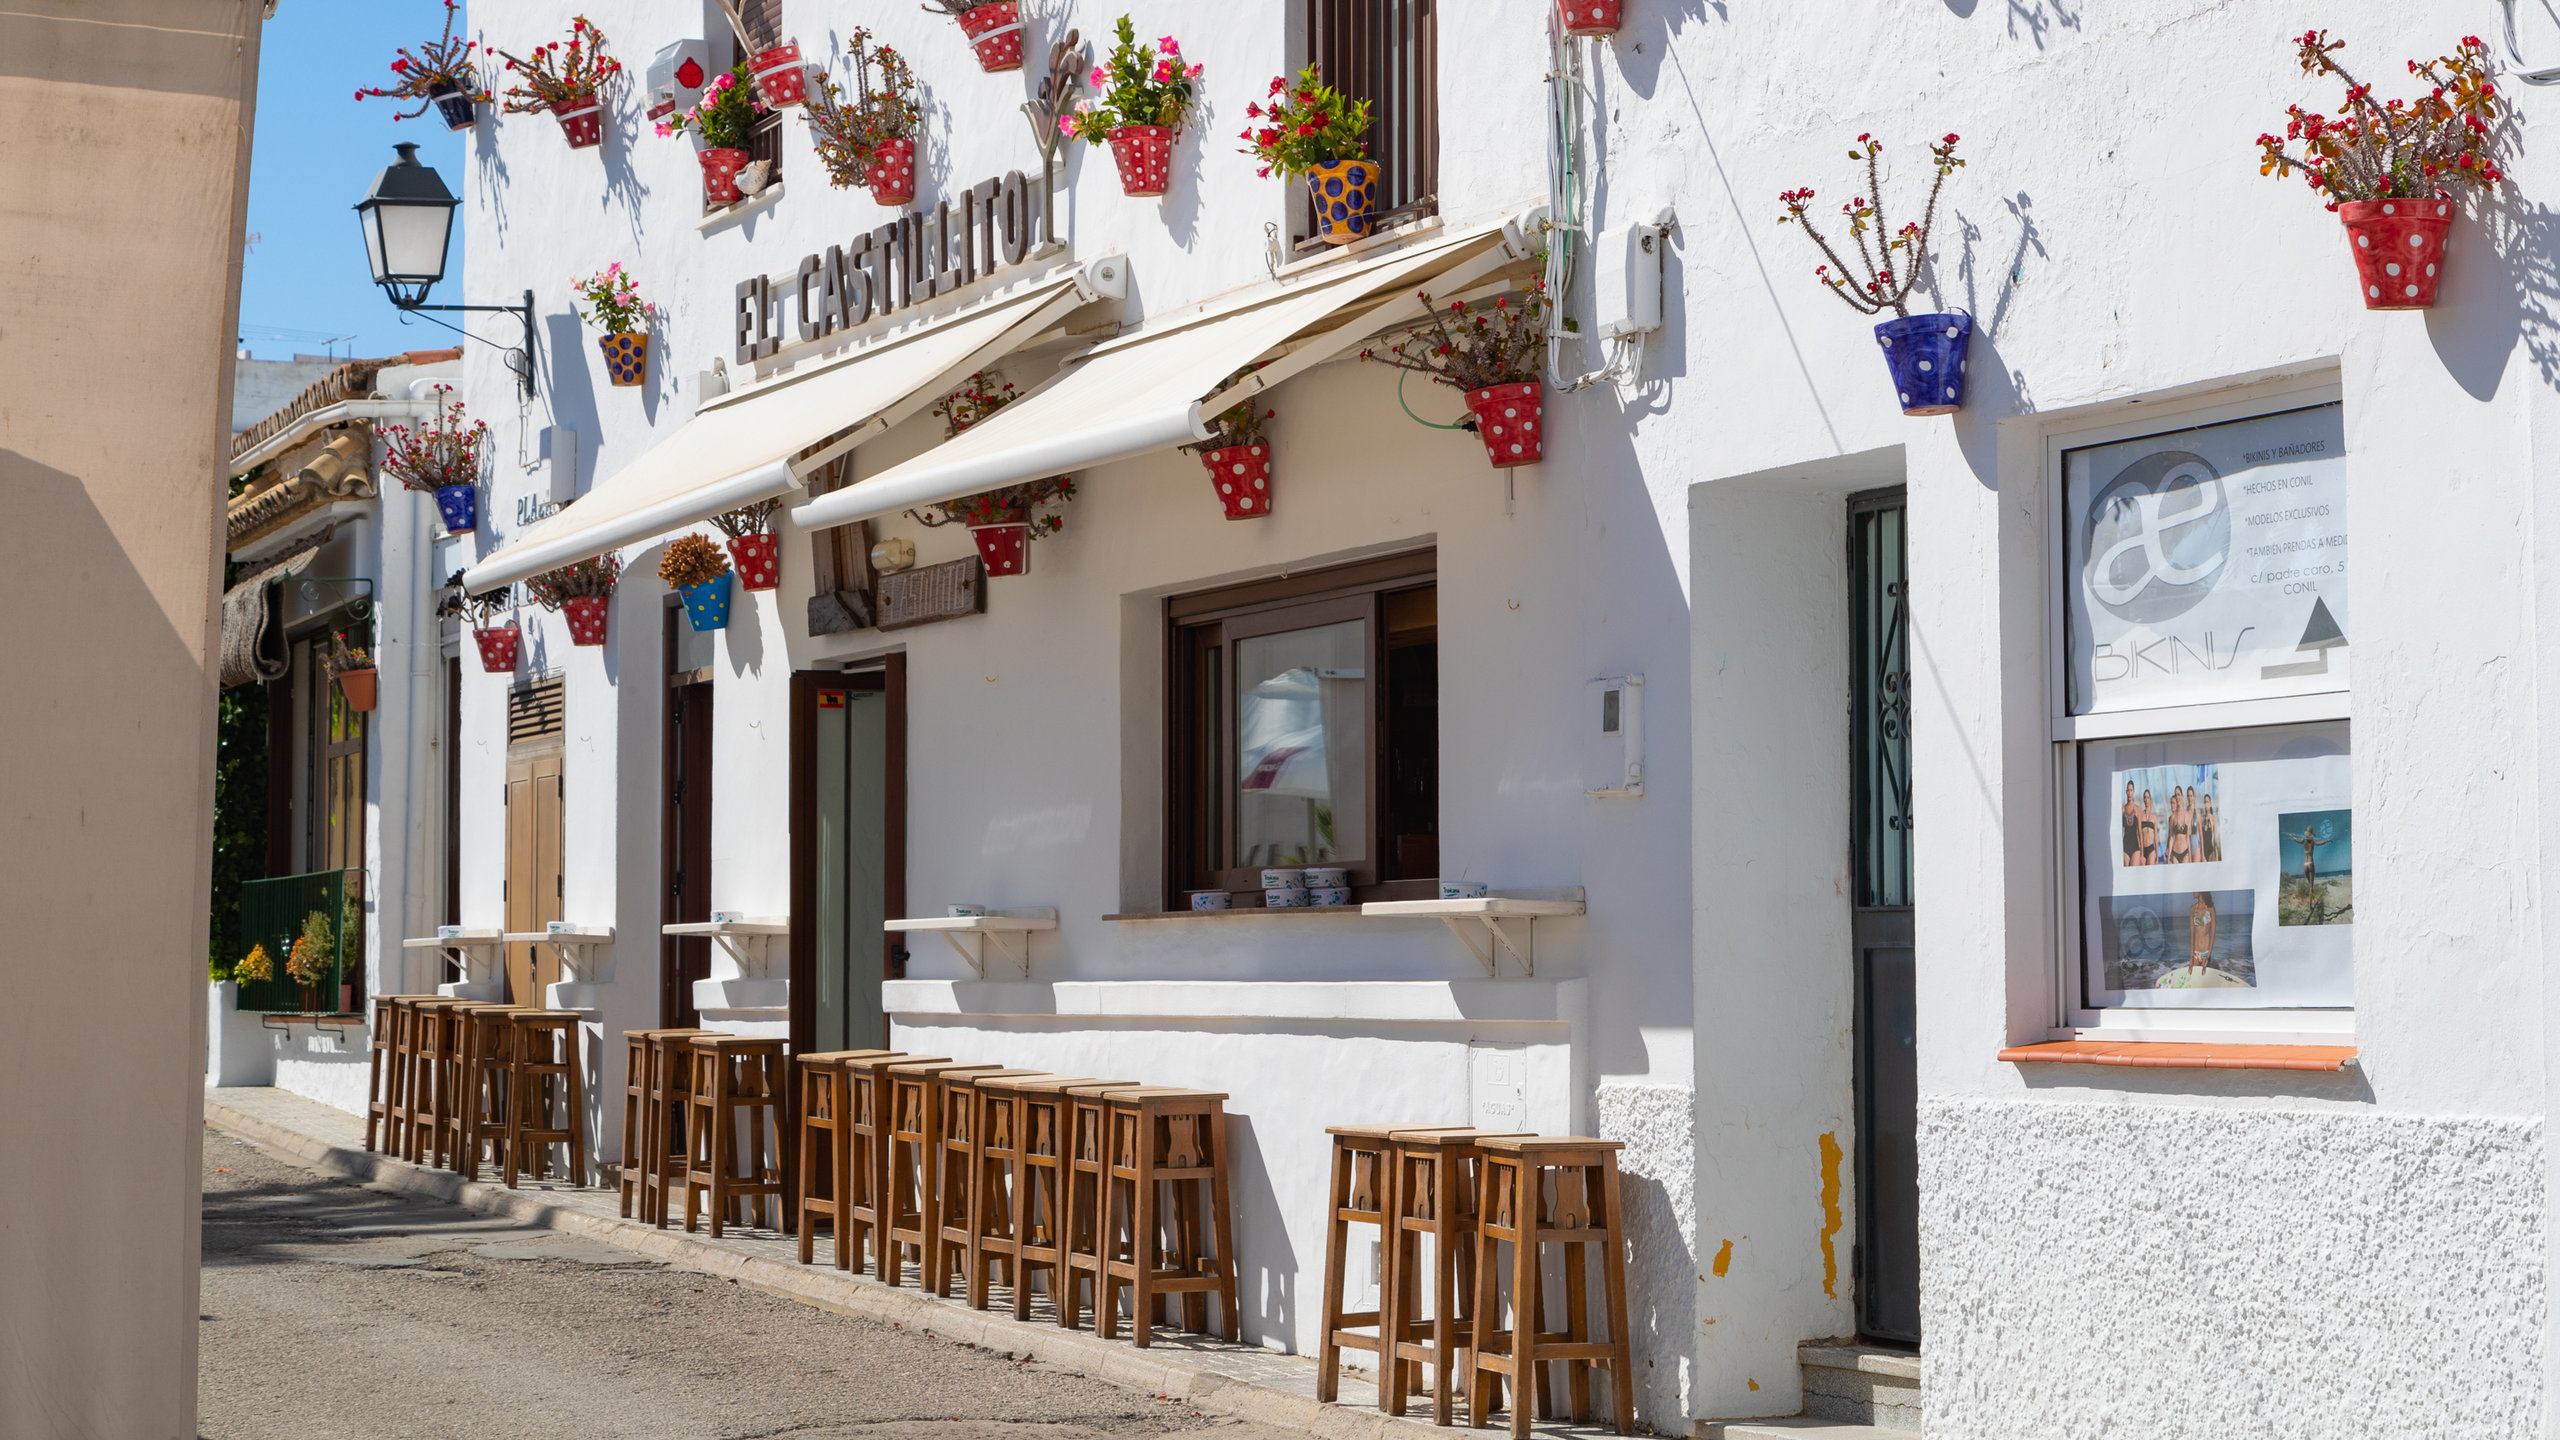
1386,53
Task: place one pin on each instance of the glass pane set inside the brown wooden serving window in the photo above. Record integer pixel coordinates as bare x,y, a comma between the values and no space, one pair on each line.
1302,747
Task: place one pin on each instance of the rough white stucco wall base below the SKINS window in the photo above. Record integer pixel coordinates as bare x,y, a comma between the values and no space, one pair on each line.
2144,1270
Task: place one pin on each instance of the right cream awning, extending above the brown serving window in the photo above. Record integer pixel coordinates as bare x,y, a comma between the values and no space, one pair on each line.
1148,391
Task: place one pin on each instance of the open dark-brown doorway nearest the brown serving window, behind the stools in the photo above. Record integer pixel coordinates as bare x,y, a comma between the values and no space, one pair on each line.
849,855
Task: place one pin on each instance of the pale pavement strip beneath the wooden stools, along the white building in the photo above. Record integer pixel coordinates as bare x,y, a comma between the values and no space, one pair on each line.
1248,1382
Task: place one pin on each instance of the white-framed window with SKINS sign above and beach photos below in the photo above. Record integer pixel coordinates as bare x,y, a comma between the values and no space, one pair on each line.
2205,716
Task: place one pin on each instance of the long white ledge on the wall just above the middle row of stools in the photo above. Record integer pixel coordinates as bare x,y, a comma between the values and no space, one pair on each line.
1389,1001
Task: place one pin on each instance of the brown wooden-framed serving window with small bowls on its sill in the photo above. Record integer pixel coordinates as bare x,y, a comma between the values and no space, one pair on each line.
1304,732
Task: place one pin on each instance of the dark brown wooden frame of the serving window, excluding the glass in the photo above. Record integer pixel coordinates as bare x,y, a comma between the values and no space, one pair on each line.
1199,716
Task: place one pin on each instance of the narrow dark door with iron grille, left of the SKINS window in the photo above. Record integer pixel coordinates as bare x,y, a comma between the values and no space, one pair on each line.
1888,1075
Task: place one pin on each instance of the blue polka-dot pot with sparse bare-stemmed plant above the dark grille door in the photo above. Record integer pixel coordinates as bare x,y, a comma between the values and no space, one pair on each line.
1926,355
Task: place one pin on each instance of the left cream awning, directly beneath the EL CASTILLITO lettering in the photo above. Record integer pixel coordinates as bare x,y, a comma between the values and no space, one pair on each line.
739,450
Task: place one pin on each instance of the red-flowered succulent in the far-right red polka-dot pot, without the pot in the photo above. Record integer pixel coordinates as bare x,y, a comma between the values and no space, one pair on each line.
2392,150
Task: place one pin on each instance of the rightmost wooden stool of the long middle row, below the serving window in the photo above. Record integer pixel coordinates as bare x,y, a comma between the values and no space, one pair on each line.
1166,1223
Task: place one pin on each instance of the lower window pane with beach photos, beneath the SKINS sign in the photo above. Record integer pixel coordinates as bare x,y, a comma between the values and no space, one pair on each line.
2221,870
